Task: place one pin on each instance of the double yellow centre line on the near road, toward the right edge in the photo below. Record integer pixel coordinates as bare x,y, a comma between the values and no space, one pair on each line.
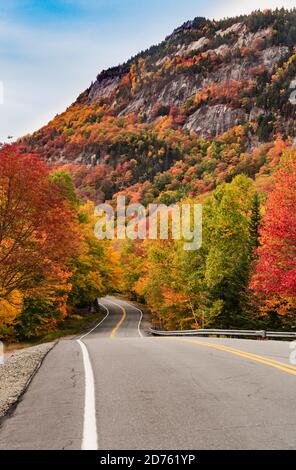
254,357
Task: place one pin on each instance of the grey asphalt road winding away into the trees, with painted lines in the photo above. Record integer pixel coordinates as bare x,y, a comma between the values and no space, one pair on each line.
118,389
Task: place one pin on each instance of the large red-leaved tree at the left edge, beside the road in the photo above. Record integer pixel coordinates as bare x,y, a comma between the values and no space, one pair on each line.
38,235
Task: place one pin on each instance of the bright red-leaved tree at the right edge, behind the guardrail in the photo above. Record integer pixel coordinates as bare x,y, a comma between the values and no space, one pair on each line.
275,278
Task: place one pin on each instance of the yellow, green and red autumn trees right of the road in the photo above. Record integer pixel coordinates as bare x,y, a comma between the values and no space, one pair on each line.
229,282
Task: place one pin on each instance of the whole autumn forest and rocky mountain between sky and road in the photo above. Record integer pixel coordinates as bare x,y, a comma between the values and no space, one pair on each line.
204,117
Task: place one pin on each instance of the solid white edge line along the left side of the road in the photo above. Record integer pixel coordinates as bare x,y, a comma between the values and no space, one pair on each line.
90,435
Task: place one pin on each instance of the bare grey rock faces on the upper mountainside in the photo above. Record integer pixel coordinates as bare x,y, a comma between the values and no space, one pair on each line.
241,55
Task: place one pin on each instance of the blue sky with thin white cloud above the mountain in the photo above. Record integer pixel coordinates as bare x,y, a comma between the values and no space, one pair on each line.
50,50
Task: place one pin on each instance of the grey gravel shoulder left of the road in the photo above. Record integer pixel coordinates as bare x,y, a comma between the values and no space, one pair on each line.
17,371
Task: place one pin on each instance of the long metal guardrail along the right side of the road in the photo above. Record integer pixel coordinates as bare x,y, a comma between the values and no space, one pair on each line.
239,333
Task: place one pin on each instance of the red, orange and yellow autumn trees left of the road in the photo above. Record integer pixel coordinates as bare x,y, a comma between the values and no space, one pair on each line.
46,236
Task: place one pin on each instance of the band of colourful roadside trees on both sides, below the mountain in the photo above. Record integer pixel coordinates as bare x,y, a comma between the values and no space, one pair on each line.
244,276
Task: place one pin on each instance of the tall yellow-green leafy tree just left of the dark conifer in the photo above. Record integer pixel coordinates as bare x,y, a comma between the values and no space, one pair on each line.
227,240
